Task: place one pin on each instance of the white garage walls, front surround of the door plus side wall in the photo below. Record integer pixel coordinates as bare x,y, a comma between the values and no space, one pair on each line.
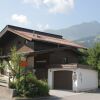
86,79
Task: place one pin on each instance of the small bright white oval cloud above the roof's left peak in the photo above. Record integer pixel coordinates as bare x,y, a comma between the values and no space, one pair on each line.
22,19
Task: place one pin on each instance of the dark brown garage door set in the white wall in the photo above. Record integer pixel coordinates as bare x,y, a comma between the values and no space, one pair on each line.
63,80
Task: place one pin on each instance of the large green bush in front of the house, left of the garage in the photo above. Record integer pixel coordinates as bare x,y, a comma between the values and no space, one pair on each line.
29,86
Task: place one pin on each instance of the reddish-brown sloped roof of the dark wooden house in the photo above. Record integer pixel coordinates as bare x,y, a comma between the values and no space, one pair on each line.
39,37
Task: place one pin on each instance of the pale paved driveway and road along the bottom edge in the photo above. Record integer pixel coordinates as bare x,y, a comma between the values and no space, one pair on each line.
66,95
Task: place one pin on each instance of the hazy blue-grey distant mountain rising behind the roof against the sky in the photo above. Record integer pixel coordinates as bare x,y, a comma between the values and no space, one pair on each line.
79,31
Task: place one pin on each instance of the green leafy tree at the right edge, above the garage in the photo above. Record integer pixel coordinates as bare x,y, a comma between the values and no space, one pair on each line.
93,58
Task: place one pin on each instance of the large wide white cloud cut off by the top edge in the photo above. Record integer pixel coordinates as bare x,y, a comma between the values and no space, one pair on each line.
53,6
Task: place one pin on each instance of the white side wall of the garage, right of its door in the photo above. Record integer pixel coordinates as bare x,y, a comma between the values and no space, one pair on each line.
86,80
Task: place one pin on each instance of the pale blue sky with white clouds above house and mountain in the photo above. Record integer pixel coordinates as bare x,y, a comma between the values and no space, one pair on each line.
48,14
